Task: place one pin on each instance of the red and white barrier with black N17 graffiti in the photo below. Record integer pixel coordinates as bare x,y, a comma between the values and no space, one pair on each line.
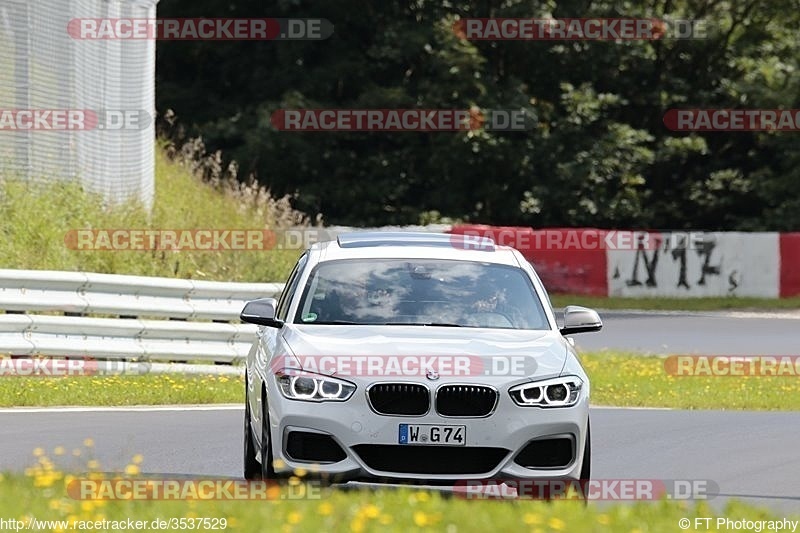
714,264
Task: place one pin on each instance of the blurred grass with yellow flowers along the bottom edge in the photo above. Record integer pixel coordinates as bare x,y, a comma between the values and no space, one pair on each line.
41,494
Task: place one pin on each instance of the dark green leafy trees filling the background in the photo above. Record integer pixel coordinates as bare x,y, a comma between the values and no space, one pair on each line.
599,155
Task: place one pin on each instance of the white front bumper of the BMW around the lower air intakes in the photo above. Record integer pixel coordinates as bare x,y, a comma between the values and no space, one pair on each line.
372,452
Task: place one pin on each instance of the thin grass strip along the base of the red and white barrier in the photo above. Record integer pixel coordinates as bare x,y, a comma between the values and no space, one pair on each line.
677,304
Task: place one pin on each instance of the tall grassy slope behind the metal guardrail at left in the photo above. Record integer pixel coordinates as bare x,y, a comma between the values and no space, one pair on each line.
35,219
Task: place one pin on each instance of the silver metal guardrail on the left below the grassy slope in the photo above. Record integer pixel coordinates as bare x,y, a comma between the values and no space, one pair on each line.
155,318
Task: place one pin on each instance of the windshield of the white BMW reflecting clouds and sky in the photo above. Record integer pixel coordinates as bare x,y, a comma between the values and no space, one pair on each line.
421,292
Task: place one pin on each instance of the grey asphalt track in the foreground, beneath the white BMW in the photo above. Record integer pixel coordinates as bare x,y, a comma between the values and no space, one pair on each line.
750,456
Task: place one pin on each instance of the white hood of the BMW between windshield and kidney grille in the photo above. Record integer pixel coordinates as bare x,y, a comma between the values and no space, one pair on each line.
406,353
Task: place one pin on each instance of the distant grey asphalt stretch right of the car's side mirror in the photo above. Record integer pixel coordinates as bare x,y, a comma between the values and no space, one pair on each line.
686,333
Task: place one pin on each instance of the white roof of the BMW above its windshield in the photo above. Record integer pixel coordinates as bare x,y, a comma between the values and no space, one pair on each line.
413,245
